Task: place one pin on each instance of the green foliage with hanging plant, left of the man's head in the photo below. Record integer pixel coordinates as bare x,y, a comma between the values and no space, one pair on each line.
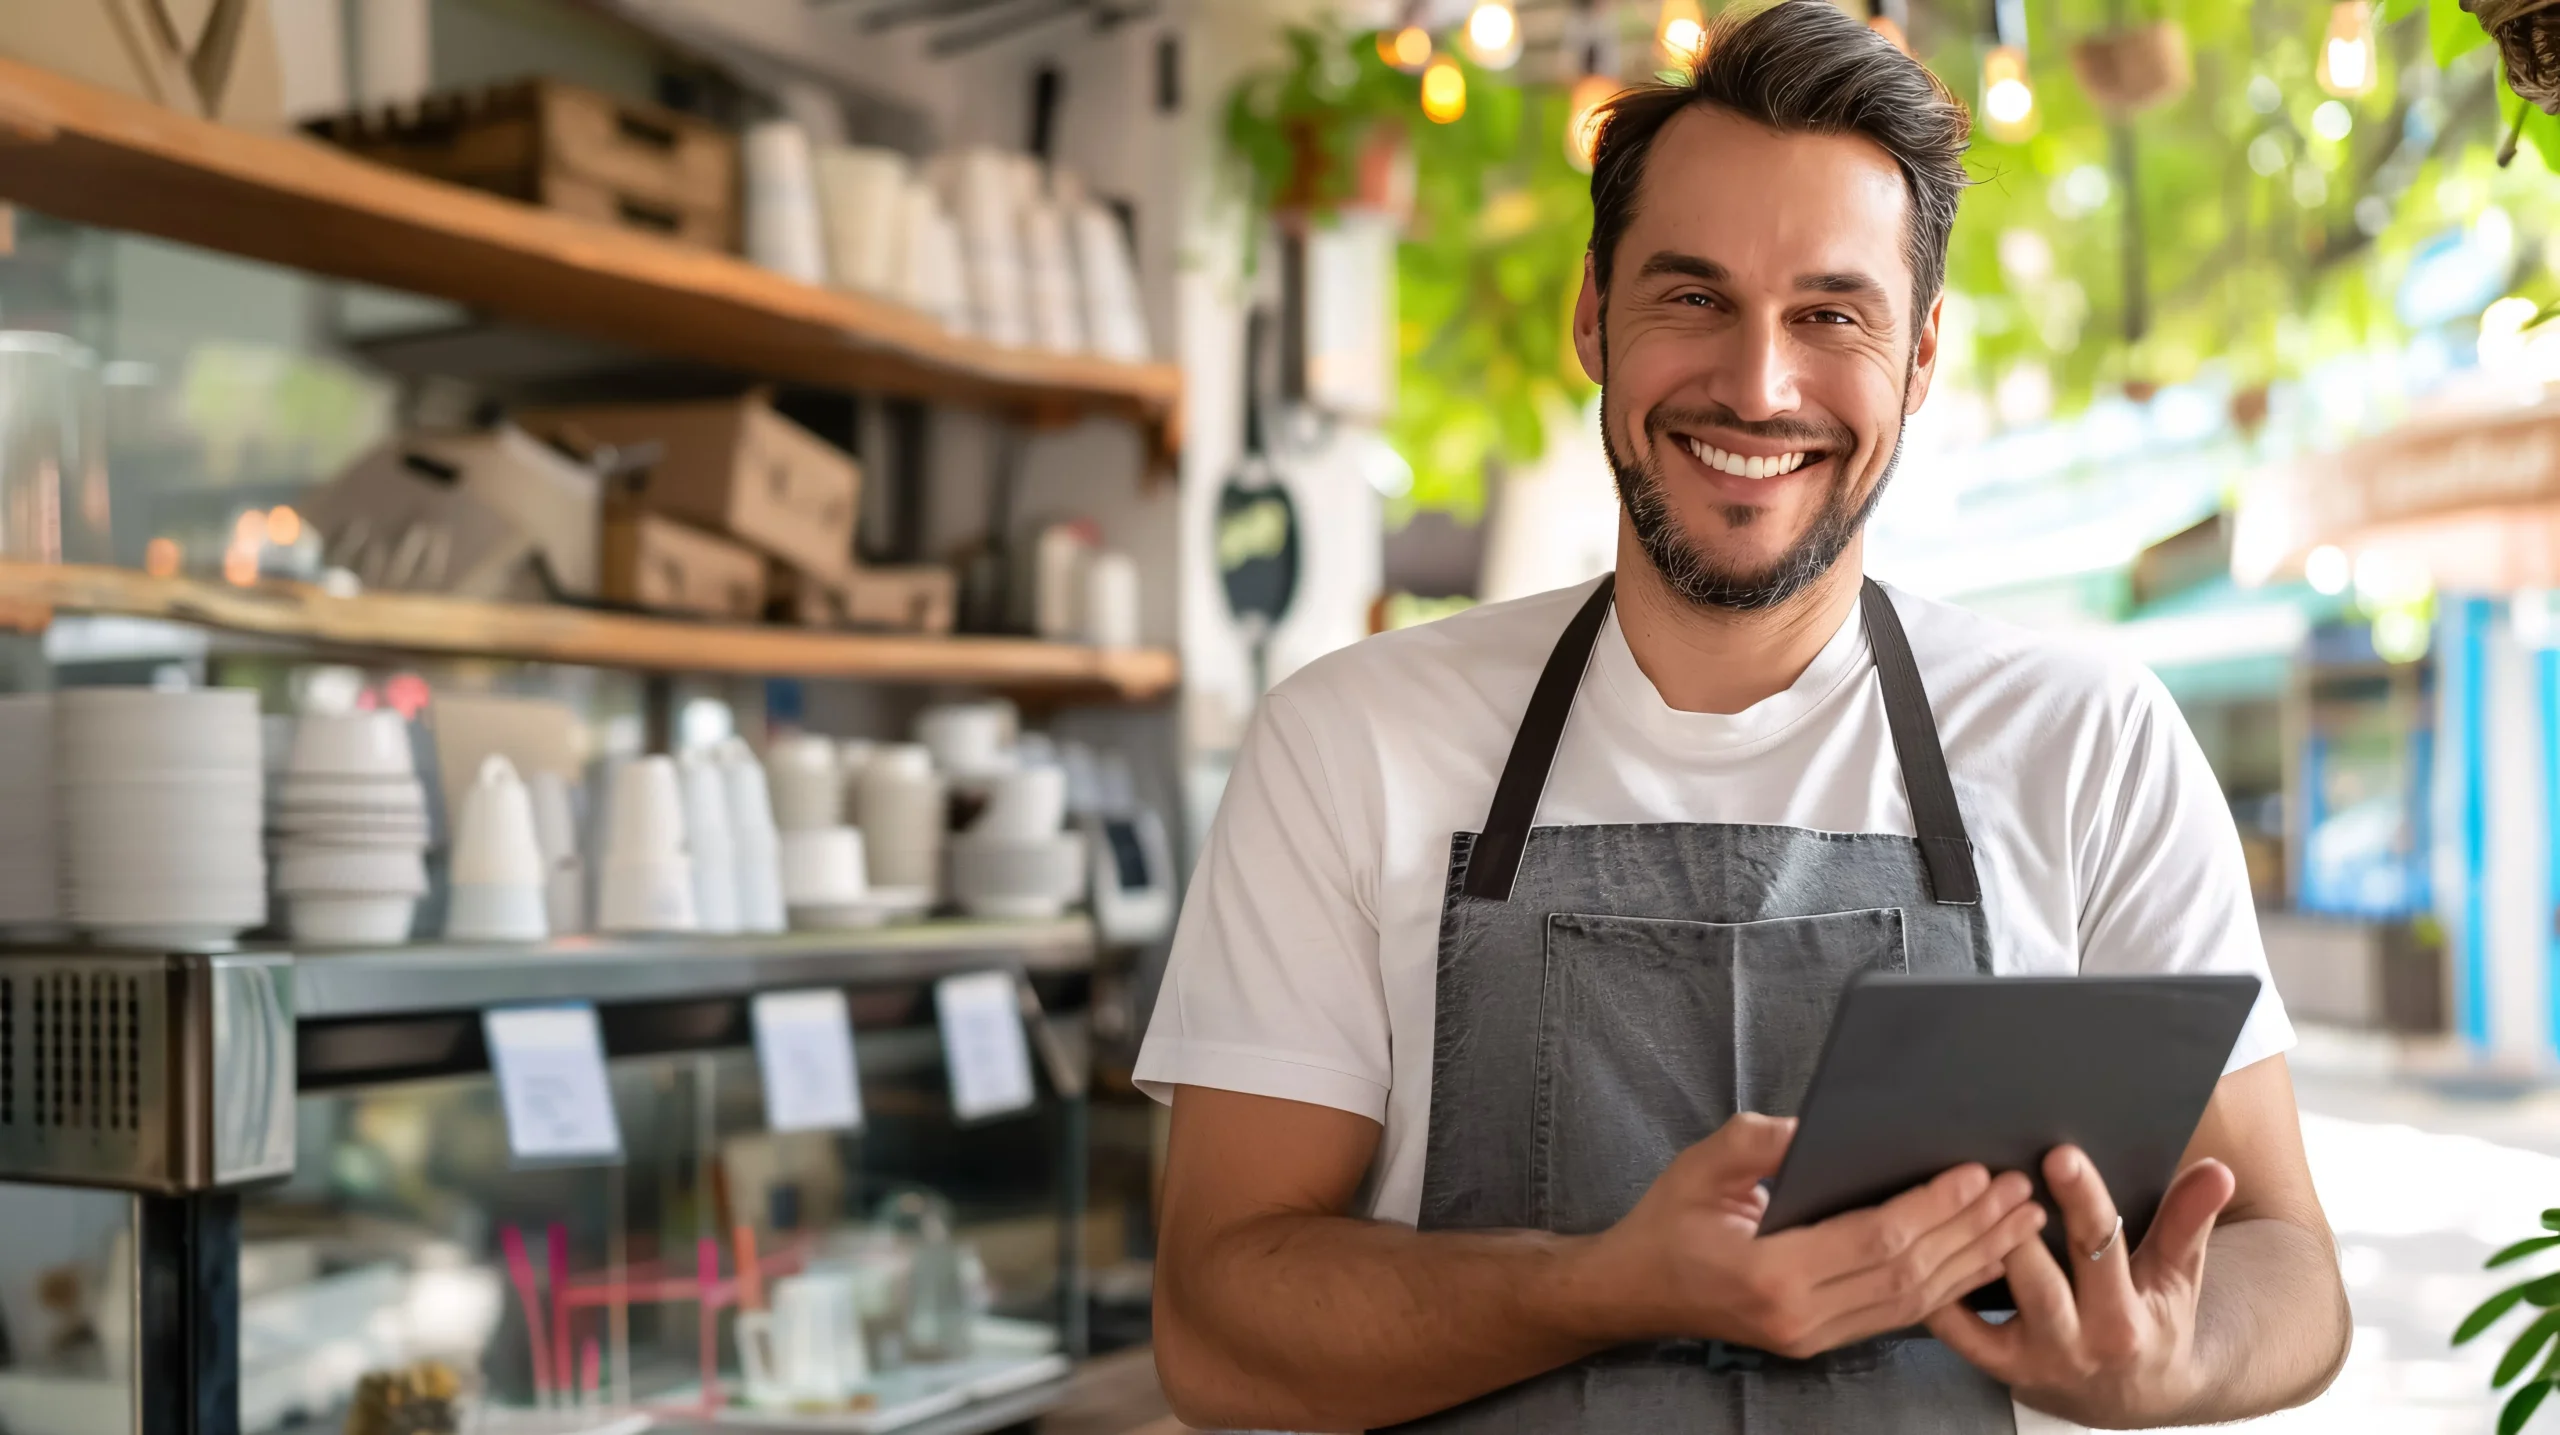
1491,260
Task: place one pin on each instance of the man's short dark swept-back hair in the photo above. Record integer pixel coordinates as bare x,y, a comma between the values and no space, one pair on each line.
1801,68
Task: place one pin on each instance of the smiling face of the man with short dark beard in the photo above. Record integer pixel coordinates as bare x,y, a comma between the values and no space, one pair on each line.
1755,354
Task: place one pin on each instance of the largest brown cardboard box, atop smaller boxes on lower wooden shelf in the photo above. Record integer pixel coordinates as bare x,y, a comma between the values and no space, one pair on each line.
731,467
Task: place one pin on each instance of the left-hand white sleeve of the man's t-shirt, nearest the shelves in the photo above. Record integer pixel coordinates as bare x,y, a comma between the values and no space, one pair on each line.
1274,978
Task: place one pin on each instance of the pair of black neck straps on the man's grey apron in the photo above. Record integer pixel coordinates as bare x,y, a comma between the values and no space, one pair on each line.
1944,848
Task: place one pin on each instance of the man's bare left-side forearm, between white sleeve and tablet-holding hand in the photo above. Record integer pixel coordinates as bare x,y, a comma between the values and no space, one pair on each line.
1332,1324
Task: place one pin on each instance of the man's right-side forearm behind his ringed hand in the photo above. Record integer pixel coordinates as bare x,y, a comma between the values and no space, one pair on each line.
2272,1324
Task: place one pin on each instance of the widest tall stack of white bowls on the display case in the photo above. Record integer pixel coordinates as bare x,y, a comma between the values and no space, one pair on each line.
160,815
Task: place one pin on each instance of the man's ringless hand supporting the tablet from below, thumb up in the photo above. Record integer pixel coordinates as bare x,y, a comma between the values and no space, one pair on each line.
1691,1260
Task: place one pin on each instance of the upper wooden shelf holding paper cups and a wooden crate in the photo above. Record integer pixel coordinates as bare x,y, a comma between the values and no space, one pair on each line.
119,162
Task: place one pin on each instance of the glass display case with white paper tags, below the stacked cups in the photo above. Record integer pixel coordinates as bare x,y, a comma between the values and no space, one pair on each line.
324,1196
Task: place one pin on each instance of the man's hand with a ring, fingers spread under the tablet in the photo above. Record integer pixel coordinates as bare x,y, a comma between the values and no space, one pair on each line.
2113,1342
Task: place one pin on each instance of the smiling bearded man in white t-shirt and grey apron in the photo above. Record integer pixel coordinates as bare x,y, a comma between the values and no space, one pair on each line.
1519,935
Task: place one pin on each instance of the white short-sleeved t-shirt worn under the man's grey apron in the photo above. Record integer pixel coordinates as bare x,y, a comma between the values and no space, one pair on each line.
1309,940
